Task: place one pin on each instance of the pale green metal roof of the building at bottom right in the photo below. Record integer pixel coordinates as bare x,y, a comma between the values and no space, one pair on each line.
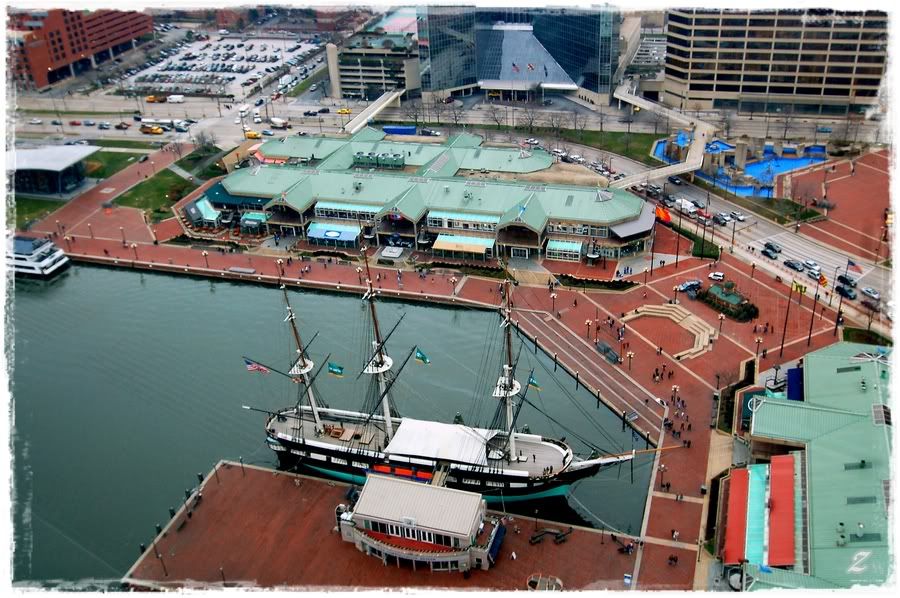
837,426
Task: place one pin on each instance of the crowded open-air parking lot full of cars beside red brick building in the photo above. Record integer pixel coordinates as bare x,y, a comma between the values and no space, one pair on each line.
227,68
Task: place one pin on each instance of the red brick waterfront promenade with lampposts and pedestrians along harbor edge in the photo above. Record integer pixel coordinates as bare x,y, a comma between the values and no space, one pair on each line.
628,386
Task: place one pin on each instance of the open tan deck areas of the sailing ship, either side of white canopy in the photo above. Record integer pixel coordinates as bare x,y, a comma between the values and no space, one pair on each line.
536,455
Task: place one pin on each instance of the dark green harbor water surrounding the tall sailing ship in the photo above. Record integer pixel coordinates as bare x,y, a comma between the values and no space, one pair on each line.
126,385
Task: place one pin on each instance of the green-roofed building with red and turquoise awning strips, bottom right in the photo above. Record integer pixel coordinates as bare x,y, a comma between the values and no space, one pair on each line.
814,512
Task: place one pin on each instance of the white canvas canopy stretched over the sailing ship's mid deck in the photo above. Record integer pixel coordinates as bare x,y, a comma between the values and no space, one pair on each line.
442,442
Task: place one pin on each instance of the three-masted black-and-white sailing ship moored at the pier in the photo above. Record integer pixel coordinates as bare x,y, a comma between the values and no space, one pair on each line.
500,463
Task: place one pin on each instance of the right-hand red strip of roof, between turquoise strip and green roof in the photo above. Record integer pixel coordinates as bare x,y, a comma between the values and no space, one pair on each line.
781,511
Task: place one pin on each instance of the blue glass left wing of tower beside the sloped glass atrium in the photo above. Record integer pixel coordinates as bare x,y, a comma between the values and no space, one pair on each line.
446,46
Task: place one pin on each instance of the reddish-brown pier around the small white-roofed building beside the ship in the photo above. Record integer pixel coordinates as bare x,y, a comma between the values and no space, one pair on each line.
263,528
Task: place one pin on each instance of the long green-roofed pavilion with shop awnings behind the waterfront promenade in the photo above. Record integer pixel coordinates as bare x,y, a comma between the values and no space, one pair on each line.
417,197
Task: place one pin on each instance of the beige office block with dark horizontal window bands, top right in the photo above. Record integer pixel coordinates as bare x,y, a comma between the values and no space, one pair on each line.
802,61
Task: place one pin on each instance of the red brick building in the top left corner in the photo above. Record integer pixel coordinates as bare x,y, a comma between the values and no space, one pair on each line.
49,45
